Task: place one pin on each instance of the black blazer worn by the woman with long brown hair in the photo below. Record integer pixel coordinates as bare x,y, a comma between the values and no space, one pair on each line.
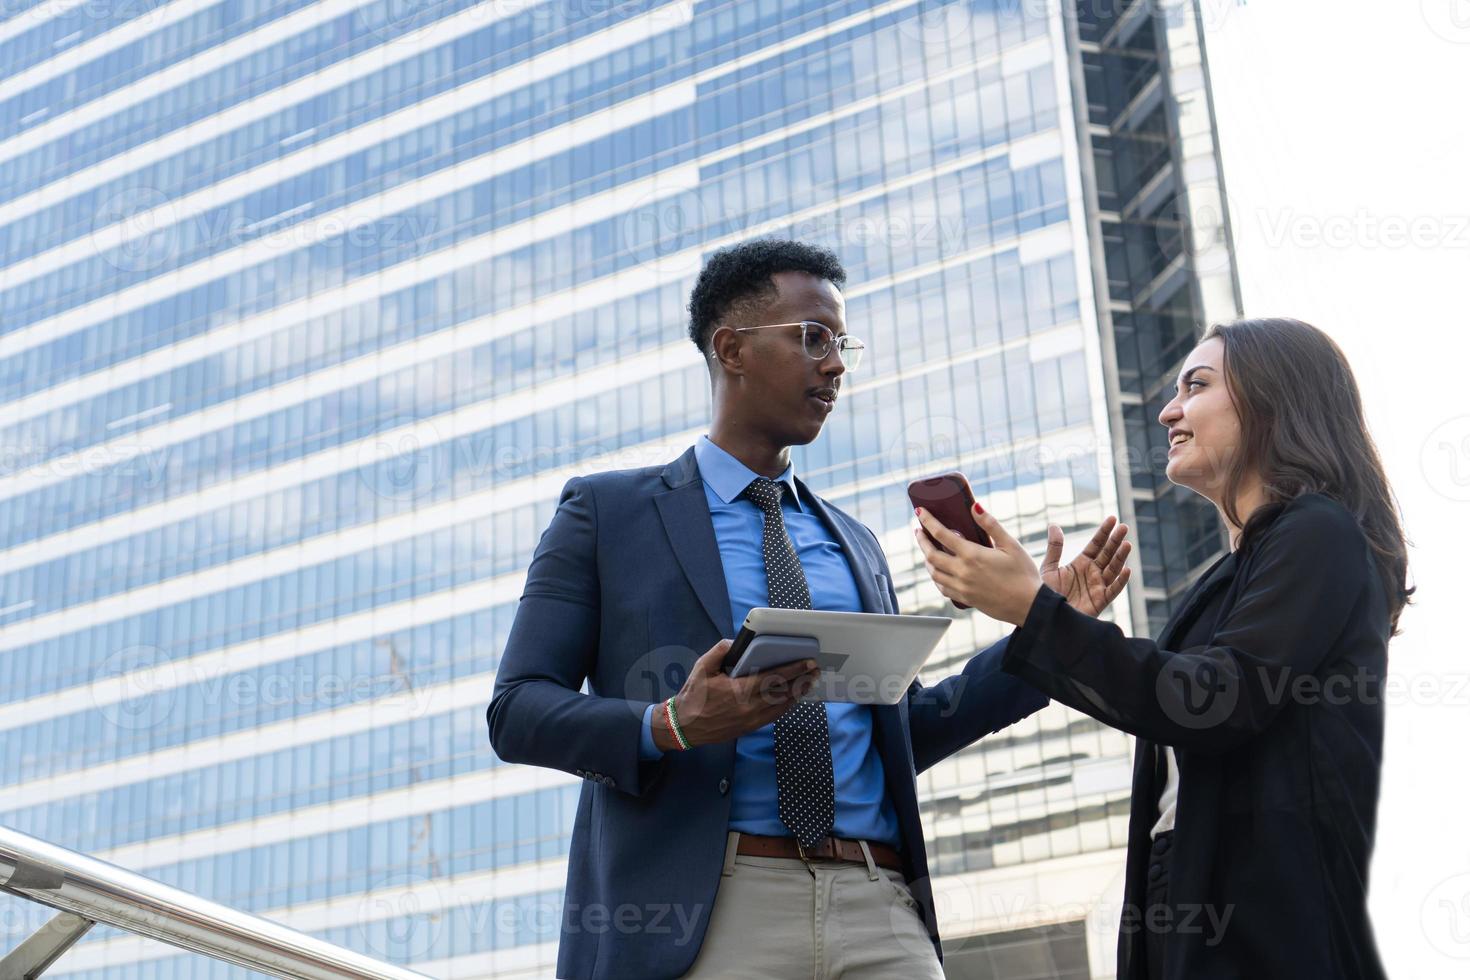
1268,684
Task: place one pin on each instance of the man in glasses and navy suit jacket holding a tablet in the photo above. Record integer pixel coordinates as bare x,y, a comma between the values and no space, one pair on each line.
725,828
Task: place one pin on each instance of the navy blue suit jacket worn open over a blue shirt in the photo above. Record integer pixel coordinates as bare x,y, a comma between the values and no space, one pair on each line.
624,594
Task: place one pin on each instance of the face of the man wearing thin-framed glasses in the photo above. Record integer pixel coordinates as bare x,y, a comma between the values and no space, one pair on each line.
787,393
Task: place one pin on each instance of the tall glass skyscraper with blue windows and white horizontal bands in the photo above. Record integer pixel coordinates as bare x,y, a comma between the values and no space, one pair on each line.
308,311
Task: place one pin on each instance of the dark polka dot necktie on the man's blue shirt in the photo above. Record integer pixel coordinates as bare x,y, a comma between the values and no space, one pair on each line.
805,796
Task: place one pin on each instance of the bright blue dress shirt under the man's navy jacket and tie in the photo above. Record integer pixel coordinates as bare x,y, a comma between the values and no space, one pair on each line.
864,810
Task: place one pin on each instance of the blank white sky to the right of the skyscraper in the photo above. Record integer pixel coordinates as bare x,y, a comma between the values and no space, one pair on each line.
1346,139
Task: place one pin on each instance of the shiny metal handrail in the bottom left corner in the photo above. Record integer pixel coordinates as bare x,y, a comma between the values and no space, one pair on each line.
89,891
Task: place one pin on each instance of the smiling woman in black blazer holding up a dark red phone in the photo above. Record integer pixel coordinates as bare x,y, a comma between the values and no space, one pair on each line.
1259,710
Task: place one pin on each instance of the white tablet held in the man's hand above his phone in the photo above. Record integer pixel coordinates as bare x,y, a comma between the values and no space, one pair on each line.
865,657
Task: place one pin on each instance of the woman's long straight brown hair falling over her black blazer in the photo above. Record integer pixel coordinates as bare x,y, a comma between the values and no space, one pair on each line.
1303,431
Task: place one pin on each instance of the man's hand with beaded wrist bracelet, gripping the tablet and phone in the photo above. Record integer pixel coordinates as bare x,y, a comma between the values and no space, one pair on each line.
715,707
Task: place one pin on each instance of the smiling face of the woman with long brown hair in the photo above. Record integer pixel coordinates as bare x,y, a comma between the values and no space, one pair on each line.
1205,428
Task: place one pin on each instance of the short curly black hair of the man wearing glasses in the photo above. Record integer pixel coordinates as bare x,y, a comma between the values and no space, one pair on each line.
739,274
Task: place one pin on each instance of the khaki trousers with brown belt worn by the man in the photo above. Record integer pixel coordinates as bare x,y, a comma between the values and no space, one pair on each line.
783,919
